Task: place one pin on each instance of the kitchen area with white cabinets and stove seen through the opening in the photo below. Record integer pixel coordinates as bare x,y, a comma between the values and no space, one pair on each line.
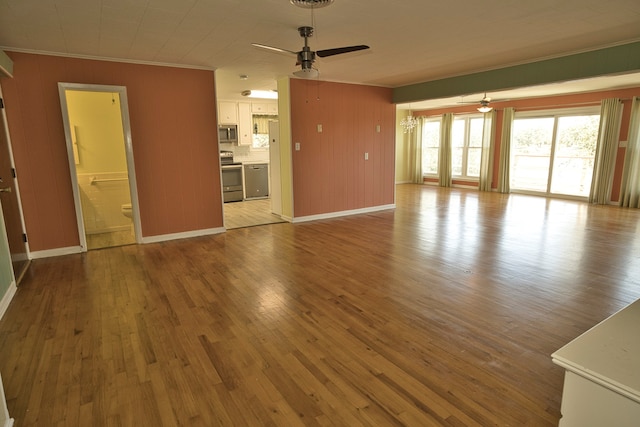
243,135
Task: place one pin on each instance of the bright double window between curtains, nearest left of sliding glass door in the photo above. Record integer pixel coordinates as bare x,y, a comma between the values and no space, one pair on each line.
466,144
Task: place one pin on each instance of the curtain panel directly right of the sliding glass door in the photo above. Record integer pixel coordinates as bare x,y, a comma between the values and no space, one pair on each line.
605,157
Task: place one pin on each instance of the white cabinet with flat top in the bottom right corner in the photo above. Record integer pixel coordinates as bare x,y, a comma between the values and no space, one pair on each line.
602,373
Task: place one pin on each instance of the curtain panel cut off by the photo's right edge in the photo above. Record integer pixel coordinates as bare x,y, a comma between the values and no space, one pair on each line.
630,186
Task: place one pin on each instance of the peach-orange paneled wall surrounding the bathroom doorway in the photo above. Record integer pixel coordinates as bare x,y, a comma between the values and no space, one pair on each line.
173,125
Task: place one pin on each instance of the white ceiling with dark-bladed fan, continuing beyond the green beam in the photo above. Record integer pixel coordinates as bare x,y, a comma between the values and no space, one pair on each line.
411,41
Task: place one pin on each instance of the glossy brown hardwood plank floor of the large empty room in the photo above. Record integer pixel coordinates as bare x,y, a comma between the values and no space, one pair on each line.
442,312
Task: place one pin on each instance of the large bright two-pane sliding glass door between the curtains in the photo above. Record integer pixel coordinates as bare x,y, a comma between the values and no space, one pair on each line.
554,152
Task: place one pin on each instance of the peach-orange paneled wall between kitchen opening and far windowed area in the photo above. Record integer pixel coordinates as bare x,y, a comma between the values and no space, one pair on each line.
330,173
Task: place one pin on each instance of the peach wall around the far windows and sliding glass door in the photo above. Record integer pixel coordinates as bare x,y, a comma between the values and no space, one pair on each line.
553,102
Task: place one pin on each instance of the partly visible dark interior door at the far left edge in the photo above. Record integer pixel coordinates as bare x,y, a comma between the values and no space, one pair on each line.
11,208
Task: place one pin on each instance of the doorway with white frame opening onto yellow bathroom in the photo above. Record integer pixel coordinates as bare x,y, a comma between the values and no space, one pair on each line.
98,137
